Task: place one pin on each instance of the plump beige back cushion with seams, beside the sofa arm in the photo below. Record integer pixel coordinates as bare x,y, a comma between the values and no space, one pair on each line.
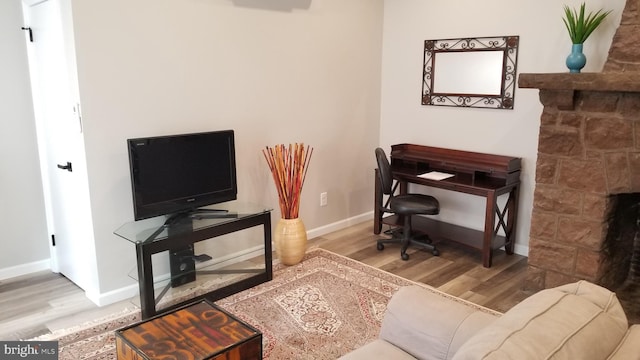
575,321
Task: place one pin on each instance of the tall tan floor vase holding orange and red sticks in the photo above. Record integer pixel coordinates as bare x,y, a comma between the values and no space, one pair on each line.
288,167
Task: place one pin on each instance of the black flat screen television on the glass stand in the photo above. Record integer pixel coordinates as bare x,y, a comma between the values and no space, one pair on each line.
179,173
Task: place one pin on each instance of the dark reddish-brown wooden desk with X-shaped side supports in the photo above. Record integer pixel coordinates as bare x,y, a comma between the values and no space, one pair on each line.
478,174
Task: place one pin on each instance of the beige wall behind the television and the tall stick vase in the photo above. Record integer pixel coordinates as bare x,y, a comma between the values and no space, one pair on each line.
309,72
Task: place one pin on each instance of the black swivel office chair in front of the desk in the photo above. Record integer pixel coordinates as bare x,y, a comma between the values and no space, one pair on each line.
405,205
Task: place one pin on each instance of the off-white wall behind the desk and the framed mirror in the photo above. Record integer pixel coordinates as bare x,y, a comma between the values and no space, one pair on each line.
544,45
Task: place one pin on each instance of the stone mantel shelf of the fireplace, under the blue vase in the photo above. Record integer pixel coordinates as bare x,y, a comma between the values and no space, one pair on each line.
603,81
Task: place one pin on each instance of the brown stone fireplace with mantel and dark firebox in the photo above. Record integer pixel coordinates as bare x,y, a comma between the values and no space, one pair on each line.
588,160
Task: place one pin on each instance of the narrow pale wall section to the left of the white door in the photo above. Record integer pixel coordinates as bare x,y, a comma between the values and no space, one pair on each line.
22,217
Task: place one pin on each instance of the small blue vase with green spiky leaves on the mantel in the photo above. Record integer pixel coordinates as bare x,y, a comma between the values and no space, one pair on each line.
580,27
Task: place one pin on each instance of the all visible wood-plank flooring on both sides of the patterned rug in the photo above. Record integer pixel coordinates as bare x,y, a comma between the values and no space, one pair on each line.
37,304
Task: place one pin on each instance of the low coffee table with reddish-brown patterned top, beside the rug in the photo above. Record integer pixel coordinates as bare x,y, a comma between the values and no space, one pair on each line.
198,331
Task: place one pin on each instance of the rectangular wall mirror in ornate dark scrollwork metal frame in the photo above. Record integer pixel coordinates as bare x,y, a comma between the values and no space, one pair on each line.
470,72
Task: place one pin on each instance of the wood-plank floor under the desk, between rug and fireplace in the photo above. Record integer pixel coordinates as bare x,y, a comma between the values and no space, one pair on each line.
457,271
